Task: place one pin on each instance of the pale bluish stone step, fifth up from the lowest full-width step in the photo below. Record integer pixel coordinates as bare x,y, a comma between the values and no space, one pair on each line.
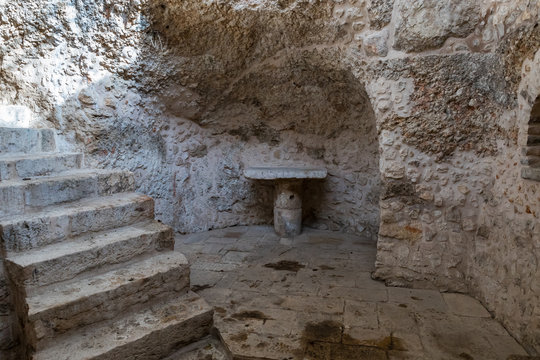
18,195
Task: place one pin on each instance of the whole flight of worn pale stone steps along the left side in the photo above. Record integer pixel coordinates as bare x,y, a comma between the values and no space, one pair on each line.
92,274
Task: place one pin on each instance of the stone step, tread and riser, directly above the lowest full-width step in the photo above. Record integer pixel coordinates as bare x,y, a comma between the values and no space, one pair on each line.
91,298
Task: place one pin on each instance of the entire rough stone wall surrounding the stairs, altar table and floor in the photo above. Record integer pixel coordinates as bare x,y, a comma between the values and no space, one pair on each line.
431,95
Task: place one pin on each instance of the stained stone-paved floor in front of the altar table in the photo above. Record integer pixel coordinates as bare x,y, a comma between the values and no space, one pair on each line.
313,298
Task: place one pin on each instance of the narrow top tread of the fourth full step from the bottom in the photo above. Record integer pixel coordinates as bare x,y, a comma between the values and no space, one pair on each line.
81,205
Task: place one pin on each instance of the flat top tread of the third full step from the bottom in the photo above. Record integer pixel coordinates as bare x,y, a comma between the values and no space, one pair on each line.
84,243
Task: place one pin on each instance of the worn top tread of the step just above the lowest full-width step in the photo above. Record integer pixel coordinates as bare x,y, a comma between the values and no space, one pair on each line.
88,284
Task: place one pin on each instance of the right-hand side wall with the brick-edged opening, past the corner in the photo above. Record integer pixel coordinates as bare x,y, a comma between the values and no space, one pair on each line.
505,257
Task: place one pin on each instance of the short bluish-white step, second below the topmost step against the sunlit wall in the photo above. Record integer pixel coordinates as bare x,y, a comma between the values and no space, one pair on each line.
13,166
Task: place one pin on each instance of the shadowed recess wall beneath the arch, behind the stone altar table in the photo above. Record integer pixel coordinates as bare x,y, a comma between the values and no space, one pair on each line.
307,109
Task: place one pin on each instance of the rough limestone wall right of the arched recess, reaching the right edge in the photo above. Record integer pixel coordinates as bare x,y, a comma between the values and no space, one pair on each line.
455,213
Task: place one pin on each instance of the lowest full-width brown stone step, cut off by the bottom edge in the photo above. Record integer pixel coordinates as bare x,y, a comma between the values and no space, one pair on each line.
149,334
